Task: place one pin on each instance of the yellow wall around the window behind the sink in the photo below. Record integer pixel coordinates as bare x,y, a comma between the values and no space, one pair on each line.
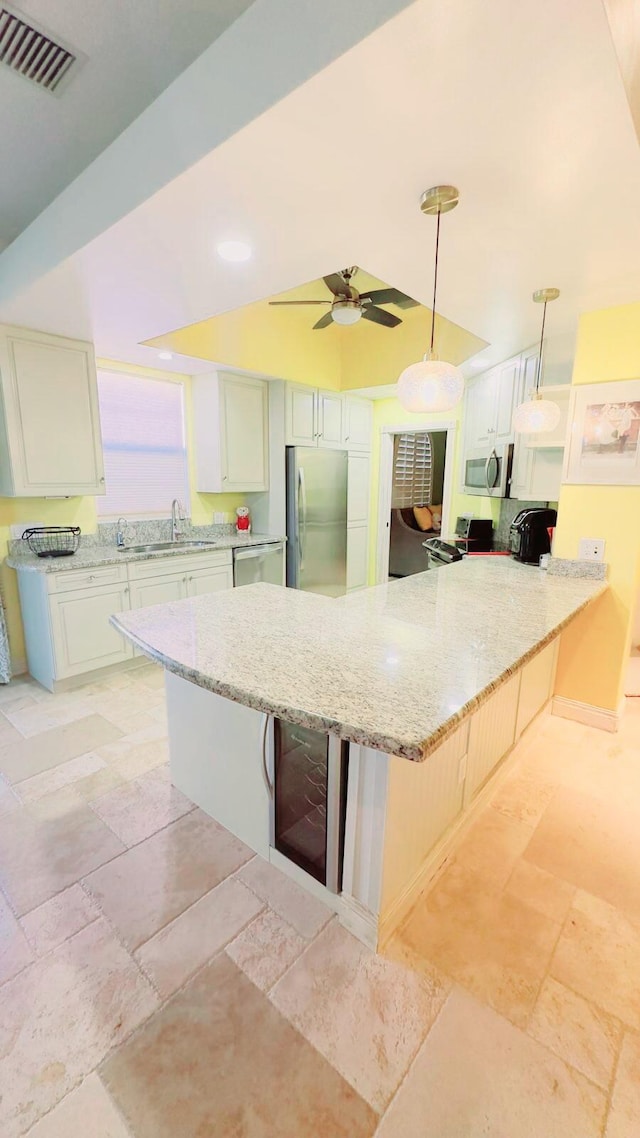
81,512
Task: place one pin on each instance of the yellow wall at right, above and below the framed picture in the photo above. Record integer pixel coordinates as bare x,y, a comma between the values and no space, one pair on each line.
596,648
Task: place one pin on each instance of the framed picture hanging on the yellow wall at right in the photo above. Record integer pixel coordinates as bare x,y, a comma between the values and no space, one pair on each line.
604,436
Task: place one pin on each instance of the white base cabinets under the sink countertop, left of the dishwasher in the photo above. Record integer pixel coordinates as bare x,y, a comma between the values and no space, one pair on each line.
67,614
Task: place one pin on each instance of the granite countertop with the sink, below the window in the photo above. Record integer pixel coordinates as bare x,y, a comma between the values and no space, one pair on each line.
93,556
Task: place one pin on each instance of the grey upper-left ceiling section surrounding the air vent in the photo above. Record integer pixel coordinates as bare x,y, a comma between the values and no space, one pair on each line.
135,50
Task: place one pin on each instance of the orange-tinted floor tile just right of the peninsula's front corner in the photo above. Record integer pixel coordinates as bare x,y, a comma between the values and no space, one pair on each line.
486,939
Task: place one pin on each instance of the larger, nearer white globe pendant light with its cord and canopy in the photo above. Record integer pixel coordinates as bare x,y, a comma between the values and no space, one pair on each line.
433,385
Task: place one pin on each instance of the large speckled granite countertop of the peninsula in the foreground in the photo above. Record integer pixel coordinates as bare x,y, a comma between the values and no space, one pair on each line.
395,667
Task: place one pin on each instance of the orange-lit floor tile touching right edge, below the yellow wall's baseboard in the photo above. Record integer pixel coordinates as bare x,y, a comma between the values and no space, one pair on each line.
593,844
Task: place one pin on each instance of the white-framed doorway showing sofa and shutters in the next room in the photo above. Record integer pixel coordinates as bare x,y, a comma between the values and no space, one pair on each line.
415,496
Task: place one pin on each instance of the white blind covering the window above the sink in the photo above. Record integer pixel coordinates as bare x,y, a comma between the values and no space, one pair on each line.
143,423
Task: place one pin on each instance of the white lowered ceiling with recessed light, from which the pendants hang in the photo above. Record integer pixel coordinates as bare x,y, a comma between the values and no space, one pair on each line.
523,110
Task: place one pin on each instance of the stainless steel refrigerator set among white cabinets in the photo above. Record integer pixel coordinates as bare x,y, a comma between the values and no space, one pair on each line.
317,521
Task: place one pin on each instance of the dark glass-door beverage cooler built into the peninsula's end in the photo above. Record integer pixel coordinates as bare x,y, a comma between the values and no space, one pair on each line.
309,802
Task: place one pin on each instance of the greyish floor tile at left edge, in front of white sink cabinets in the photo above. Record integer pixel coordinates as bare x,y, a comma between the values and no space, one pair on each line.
30,757
